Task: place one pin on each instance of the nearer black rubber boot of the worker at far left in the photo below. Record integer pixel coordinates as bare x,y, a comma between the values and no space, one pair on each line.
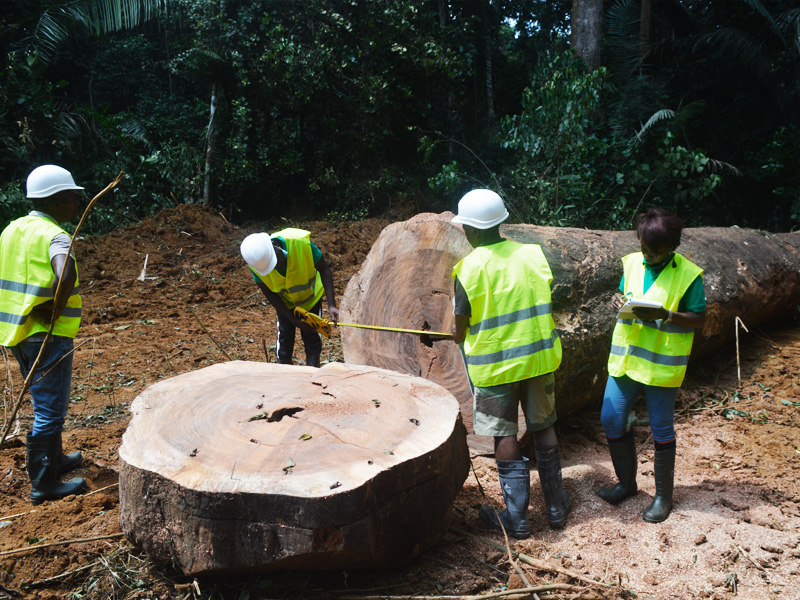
43,459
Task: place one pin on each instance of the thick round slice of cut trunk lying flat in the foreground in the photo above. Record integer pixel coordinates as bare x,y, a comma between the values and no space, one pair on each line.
243,467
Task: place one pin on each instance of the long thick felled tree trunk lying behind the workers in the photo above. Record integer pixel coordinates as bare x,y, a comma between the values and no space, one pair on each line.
406,282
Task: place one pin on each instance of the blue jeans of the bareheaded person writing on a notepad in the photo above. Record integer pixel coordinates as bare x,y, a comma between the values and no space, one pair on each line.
621,393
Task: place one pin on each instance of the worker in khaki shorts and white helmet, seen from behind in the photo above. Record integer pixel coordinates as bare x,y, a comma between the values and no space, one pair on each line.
503,317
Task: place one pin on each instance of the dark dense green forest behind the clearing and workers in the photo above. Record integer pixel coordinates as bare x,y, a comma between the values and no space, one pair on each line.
580,113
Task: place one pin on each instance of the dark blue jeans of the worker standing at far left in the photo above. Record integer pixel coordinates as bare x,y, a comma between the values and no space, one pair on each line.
51,383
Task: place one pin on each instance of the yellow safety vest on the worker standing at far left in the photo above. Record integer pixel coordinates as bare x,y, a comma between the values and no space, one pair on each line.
26,280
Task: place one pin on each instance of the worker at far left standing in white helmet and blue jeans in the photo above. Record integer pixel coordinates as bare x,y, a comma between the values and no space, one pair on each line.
33,259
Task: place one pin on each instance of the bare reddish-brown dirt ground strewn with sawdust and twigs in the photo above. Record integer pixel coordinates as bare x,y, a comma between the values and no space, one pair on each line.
734,532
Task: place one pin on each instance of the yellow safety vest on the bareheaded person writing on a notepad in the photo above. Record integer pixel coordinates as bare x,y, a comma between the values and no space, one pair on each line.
654,353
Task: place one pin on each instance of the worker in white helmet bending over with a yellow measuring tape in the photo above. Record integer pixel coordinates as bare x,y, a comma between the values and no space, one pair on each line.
290,271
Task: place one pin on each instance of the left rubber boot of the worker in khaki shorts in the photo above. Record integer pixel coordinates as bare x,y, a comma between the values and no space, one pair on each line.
515,483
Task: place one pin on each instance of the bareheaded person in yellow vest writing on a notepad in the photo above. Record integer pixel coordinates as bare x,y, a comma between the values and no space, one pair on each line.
649,355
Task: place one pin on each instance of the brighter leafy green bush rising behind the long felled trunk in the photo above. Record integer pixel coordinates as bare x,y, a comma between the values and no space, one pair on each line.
570,169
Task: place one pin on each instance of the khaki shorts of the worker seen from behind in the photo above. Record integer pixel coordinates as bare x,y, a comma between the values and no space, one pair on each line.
495,408
